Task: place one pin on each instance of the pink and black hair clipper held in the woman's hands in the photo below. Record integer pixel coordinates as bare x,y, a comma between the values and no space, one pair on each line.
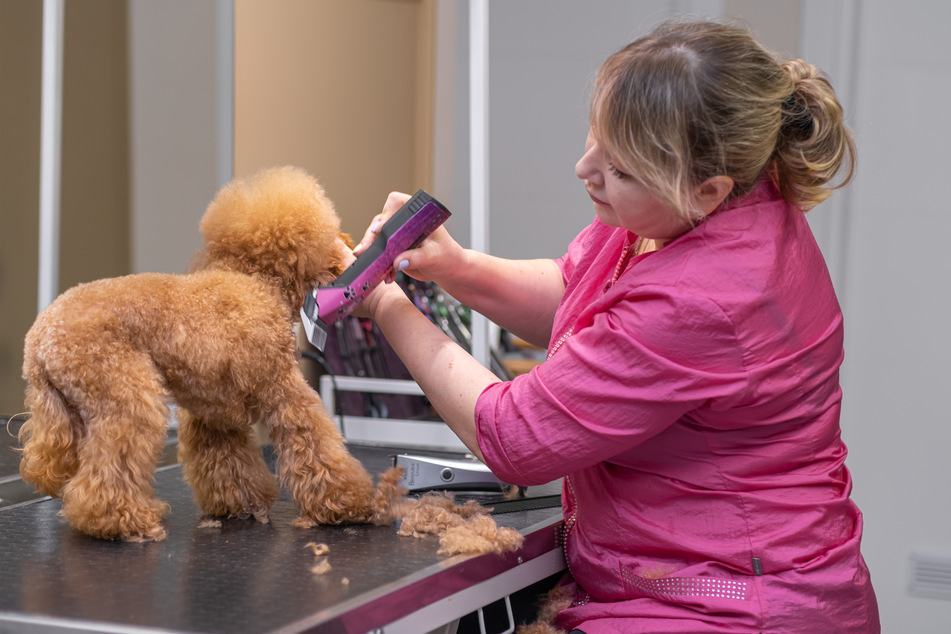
406,229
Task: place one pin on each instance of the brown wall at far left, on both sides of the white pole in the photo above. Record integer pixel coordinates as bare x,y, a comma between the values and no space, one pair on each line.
94,199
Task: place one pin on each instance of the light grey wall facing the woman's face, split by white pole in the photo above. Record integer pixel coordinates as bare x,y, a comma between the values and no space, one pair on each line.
542,57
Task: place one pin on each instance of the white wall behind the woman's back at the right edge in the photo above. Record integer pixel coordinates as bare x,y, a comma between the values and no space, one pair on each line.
887,242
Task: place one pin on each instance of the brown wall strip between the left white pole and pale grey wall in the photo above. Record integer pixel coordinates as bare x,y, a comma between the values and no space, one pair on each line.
94,238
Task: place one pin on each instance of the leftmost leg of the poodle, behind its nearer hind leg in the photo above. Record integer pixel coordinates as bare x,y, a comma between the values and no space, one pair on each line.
49,439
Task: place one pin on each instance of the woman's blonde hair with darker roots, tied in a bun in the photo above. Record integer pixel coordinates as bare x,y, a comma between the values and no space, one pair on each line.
694,100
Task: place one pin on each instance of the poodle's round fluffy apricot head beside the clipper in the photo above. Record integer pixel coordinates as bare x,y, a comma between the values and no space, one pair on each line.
279,224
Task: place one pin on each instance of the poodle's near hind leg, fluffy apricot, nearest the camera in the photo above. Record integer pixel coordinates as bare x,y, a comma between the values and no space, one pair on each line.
111,495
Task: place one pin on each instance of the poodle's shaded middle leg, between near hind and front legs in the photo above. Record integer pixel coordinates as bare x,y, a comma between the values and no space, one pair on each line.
225,469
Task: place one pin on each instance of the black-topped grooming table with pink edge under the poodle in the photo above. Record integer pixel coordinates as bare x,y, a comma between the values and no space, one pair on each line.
249,577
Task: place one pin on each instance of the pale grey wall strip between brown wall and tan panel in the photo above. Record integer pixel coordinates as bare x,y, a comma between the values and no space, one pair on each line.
180,84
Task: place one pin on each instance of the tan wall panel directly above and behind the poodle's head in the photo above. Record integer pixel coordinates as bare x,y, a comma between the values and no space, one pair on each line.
340,88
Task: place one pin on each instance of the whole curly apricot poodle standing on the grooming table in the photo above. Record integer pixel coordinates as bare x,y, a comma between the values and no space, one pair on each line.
105,360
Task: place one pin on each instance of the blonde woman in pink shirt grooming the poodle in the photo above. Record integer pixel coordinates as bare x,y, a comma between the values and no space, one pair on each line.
690,399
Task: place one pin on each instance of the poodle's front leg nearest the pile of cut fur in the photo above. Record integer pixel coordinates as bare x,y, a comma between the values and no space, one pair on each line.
328,483
